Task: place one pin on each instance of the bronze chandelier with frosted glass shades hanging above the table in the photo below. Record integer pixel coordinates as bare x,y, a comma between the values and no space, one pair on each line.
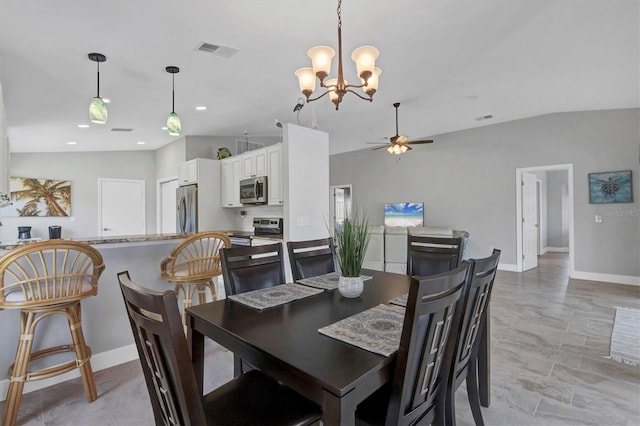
364,57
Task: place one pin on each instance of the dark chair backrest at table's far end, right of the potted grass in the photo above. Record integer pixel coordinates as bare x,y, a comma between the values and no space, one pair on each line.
428,255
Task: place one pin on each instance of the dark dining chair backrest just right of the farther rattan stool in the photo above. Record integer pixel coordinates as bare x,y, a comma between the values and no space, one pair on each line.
252,268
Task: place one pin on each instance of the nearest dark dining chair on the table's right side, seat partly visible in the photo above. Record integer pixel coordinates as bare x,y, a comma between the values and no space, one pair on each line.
416,393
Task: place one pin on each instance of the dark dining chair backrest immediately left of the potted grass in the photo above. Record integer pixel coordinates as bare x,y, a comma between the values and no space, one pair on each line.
311,258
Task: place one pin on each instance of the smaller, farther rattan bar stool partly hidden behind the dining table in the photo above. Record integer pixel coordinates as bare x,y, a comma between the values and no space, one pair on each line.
193,264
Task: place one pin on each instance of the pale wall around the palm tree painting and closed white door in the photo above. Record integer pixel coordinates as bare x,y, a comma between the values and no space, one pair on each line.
83,170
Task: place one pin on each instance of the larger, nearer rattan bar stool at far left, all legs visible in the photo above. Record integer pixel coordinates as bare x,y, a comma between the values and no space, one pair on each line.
44,279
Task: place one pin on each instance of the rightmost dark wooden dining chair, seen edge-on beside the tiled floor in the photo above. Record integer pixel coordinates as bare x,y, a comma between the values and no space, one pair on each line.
469,326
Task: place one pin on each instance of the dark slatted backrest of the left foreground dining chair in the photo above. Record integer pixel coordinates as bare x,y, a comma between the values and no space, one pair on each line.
164,354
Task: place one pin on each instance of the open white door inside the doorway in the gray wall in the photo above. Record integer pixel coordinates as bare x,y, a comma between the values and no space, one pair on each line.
529,221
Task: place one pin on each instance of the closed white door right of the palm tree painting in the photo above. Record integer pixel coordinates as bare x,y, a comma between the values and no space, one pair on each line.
121,207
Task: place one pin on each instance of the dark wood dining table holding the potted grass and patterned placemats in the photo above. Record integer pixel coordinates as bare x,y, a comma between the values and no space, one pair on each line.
284,342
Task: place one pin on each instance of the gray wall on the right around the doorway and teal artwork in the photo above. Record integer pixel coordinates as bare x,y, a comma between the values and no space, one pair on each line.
466,180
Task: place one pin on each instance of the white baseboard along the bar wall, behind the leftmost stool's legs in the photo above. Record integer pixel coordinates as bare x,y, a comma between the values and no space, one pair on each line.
99,362
